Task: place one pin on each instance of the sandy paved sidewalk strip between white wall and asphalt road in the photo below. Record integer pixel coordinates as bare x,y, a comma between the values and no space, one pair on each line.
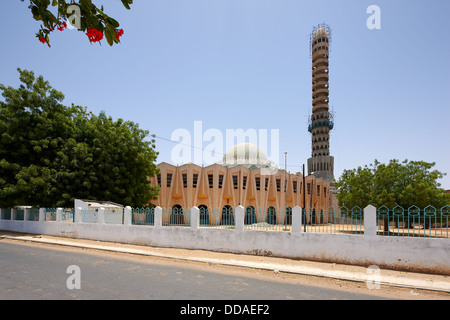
329,270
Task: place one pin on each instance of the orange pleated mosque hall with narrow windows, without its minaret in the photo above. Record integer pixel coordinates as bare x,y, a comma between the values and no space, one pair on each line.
247,182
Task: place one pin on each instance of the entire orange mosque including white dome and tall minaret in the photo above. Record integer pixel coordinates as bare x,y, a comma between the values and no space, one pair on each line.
246,177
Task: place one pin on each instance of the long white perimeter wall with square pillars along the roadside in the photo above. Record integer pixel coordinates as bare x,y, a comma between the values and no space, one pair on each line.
401,253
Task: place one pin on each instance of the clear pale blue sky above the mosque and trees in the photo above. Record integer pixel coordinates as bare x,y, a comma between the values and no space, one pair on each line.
245,64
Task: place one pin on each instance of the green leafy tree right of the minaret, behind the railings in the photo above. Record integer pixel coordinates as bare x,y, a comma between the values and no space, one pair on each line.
404,183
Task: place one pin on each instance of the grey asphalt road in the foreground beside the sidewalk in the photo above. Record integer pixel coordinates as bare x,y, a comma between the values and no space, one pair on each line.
36,272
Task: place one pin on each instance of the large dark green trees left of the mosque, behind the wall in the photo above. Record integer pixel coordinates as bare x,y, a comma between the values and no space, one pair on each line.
51,154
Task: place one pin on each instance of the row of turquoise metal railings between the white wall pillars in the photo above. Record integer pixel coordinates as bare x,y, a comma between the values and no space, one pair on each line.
398,221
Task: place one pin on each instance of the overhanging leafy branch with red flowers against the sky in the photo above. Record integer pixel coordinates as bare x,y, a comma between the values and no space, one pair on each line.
92,19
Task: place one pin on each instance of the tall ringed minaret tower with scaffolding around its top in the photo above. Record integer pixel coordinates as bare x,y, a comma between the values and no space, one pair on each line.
321,164
